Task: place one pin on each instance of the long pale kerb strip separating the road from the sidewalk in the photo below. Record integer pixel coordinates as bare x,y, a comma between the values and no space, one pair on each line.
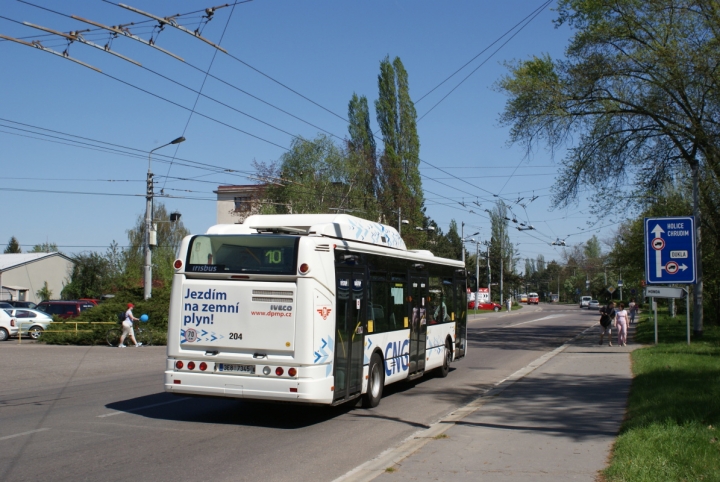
375,467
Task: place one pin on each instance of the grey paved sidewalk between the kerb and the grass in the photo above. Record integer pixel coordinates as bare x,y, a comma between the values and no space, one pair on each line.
558,422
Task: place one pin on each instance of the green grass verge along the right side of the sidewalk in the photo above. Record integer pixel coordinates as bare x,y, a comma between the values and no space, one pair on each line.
671,431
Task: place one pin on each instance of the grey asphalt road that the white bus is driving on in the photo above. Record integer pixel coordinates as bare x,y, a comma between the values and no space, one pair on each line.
100,413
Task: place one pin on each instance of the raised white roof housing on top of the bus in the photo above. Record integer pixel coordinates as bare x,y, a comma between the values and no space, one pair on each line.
340,226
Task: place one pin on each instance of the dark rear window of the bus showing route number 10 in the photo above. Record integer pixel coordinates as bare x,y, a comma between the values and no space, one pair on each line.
247,253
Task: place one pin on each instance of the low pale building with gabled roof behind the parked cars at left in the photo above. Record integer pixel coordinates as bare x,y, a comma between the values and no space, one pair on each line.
23,274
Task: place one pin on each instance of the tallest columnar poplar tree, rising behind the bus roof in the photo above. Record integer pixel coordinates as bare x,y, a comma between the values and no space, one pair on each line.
400,184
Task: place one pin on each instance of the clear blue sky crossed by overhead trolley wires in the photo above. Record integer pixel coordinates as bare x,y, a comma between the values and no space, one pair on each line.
323,49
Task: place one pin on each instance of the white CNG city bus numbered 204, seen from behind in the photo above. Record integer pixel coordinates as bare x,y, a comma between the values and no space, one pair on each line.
313,308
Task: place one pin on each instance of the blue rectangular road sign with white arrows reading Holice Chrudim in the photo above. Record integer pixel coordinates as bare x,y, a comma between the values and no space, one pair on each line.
670,250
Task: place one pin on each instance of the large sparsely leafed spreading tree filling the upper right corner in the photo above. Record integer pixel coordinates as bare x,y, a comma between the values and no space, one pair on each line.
638,90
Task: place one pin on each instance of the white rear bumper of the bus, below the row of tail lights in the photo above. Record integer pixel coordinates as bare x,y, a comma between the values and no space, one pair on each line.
249,387
